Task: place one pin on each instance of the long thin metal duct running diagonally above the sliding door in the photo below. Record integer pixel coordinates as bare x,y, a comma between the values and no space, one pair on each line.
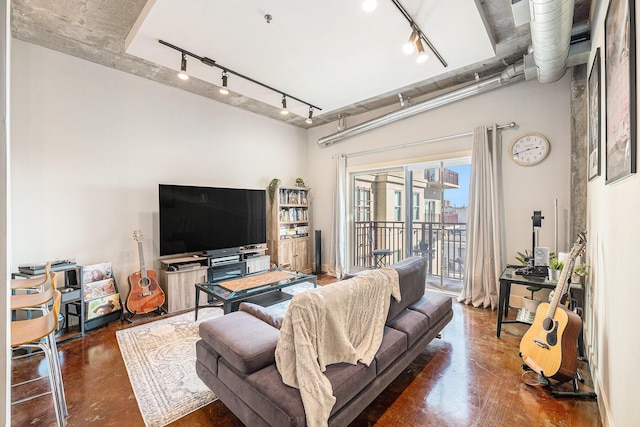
509,75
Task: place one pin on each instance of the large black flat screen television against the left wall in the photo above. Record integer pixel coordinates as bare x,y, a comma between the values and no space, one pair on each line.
210,220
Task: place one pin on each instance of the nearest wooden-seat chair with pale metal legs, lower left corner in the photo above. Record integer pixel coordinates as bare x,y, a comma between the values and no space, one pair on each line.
39,332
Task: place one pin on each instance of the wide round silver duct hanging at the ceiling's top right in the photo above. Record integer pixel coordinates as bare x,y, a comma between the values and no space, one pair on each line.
551,22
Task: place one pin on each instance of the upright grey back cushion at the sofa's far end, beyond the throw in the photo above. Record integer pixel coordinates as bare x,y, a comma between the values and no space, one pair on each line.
412,276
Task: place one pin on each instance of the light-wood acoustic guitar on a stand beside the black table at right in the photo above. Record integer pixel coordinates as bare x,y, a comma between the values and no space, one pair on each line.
549,347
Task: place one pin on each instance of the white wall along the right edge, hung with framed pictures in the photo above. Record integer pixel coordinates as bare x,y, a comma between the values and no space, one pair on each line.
614,233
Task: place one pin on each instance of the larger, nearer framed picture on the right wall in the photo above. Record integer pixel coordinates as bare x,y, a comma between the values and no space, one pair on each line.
620,74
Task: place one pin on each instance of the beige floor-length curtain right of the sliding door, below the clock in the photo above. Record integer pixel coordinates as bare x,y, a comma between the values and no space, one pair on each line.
484,248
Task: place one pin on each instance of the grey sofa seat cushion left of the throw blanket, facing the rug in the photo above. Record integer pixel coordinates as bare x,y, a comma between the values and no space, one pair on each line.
245,341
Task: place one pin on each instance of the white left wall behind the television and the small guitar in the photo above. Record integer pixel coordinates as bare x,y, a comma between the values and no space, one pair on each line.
91,144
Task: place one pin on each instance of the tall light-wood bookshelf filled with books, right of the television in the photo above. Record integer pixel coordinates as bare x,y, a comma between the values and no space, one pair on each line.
289,228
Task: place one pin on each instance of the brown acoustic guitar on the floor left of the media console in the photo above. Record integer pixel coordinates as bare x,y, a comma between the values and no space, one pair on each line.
144,295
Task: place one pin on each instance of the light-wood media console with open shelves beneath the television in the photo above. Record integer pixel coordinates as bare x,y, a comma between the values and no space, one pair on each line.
178,276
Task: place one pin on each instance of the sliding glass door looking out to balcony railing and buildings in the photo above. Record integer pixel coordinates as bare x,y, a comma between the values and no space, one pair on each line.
416,210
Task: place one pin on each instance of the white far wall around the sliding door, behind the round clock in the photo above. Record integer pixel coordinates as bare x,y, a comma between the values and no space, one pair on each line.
533,106
